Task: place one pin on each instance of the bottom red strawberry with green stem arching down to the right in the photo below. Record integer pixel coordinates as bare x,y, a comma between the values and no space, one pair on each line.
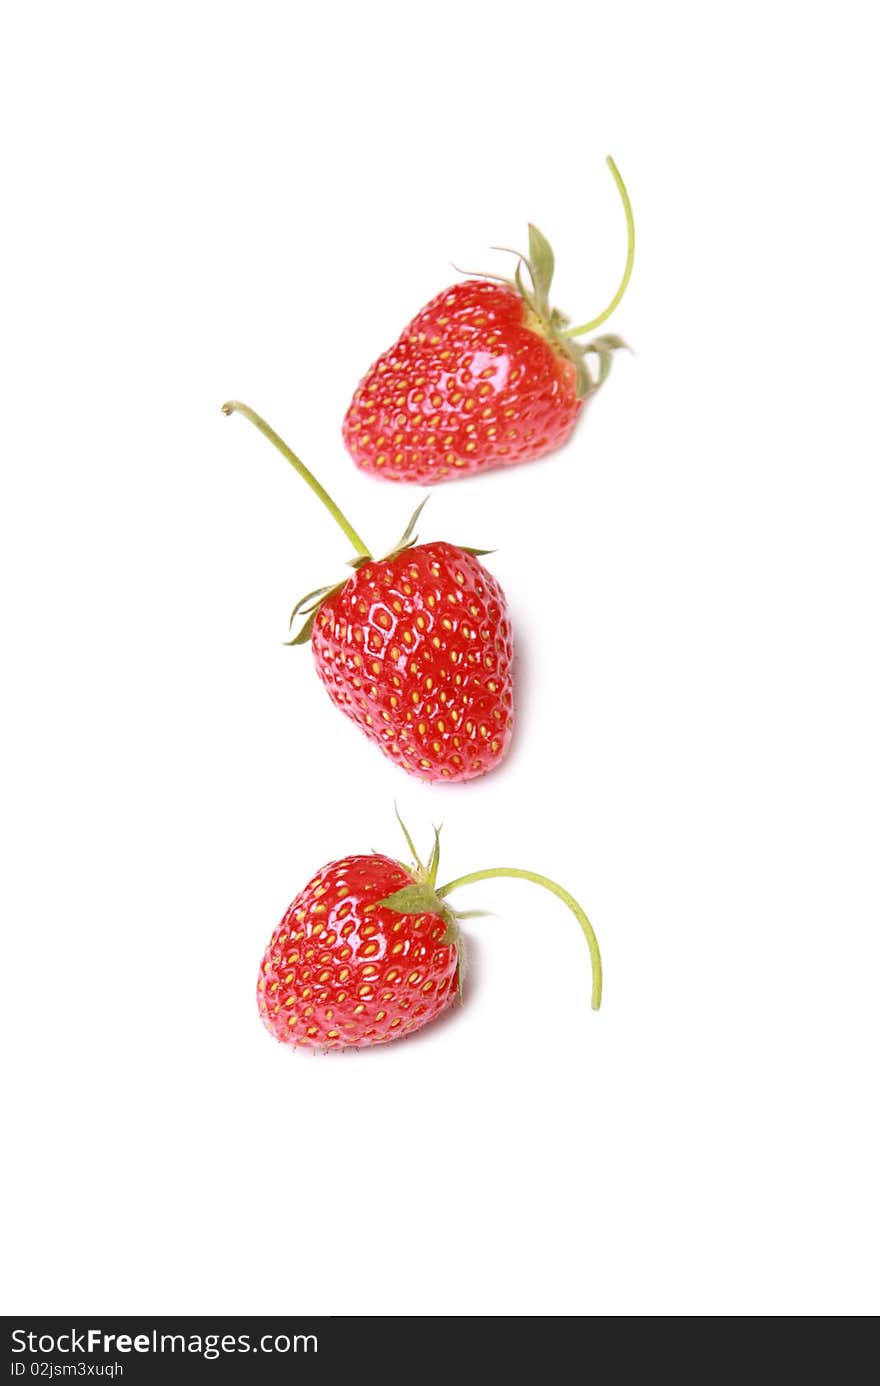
371,951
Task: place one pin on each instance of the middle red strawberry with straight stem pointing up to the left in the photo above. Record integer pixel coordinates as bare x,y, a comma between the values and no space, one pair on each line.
415,648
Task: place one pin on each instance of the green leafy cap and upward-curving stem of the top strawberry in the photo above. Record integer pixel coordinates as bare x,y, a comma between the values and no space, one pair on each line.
592,360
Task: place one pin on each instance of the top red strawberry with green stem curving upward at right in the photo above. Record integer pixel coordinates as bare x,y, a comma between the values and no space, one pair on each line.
487,376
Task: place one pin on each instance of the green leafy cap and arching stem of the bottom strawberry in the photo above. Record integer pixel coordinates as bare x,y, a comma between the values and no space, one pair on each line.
423,897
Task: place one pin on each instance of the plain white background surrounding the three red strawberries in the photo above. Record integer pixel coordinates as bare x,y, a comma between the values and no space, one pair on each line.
228,200
